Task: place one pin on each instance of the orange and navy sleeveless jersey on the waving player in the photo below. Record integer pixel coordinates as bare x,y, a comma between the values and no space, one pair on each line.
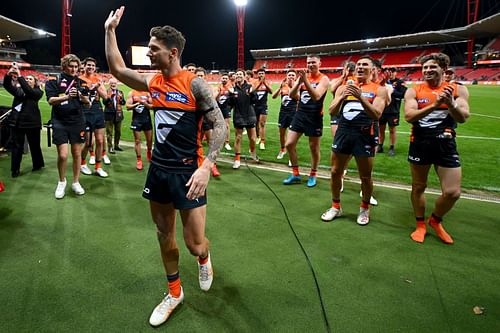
177,123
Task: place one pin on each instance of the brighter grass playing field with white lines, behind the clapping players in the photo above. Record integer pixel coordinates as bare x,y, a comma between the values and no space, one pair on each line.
478,143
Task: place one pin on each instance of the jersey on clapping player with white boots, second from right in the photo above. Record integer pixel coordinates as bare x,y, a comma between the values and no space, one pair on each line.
352,113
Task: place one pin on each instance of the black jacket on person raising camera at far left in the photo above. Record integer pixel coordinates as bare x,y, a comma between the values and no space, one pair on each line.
29,116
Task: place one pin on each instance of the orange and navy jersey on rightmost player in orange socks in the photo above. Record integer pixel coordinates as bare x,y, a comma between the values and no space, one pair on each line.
439,120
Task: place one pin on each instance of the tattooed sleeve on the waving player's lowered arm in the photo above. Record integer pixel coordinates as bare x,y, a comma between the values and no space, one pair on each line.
213,115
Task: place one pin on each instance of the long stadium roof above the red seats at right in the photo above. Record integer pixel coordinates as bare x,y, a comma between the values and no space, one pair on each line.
488,27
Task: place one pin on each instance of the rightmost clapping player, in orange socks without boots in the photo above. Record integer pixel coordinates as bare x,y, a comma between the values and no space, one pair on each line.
434,108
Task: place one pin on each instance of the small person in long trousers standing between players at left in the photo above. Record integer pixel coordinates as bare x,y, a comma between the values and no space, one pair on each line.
113,115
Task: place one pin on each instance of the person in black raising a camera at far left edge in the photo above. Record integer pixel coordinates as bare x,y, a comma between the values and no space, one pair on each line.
25,119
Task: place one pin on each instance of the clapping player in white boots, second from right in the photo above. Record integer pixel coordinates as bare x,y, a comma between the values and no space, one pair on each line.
360,103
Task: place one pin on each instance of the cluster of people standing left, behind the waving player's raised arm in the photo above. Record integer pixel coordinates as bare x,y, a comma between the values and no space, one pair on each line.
78,117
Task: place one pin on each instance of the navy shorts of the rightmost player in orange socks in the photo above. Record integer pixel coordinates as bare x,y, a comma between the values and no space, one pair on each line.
441,152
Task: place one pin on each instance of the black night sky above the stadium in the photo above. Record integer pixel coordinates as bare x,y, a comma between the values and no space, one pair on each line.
210,25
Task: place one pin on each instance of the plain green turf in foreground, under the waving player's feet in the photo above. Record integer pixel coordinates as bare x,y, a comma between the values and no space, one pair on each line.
91,263
